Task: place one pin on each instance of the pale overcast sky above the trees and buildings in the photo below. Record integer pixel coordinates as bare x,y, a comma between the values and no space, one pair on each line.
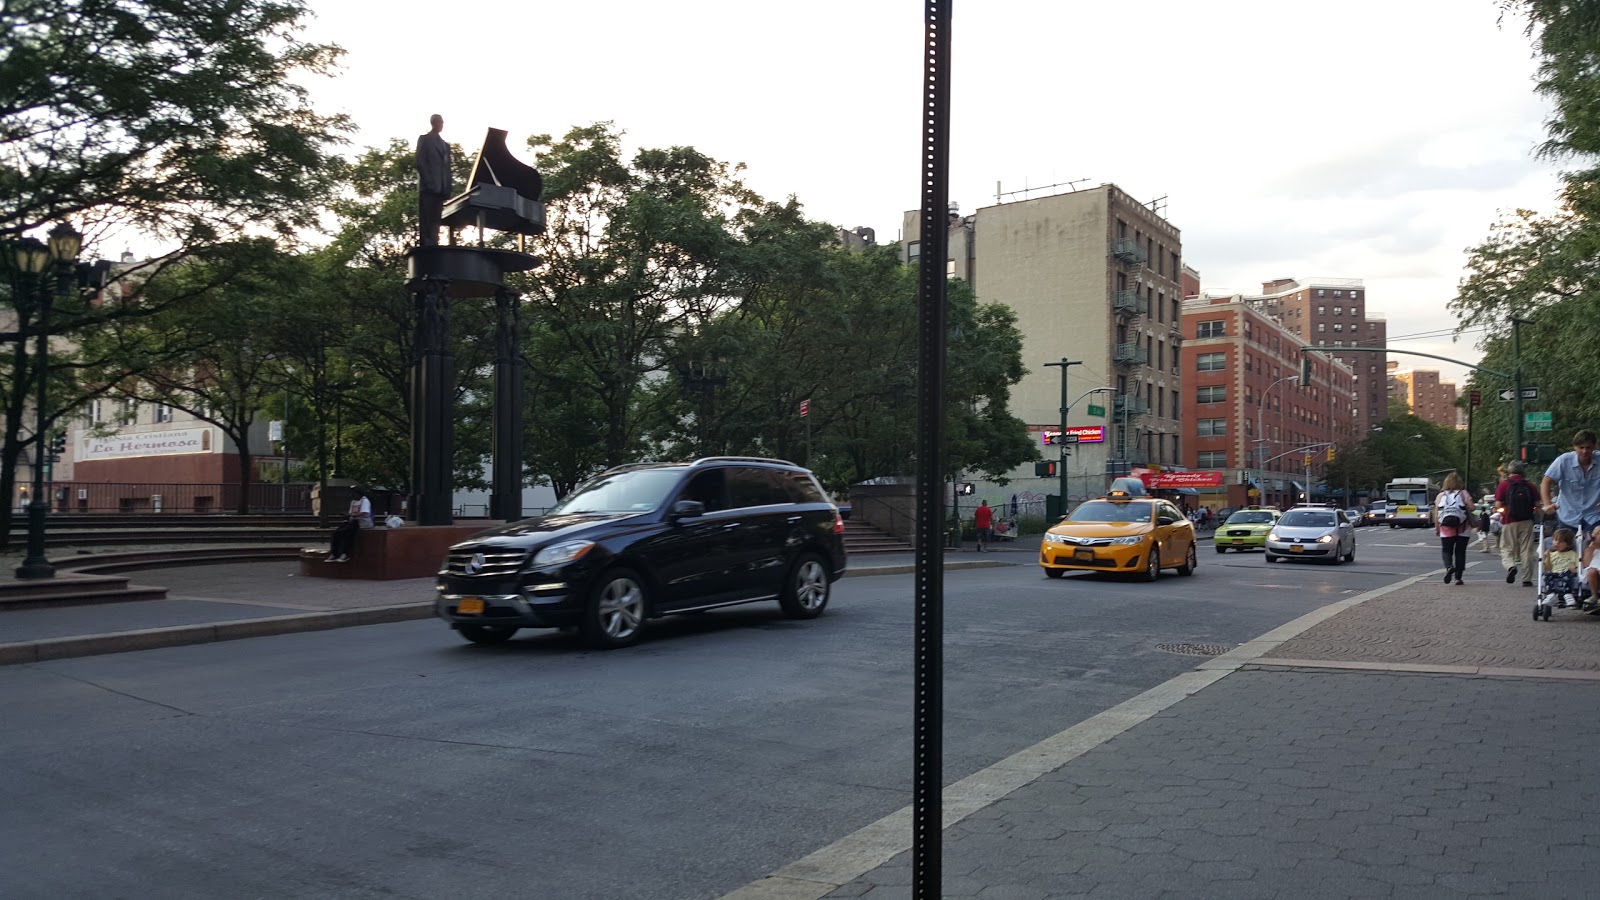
1370,140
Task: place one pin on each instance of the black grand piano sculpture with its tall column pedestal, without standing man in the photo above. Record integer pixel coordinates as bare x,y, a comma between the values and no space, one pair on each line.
503,195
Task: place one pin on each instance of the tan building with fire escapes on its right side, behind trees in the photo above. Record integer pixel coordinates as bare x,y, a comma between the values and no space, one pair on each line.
1094,276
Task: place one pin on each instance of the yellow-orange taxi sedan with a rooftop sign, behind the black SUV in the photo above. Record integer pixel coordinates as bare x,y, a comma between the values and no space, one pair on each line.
1126,531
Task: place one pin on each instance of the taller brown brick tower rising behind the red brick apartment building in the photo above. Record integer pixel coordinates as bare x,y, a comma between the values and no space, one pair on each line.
1337,315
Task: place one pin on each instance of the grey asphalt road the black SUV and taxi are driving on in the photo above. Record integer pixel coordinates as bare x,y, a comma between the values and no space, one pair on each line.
398,761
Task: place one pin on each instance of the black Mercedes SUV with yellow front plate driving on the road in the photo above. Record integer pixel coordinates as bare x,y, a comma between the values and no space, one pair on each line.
649,540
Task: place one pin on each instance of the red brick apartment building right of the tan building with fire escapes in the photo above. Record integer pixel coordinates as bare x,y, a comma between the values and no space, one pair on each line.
1244,409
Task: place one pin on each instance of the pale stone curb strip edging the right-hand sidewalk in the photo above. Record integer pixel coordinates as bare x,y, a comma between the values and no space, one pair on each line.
857,854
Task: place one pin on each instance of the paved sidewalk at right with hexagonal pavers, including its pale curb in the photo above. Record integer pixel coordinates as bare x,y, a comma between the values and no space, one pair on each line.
1420,741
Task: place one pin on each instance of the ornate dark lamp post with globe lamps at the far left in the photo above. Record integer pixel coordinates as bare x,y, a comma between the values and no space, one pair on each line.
31,260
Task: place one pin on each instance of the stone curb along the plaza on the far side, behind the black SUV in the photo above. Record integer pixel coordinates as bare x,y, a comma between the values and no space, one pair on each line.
209,633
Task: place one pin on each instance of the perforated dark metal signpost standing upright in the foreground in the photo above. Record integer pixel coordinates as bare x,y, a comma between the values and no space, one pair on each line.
929,622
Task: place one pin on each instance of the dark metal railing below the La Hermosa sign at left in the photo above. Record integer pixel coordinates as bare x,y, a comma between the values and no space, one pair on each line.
188,499
